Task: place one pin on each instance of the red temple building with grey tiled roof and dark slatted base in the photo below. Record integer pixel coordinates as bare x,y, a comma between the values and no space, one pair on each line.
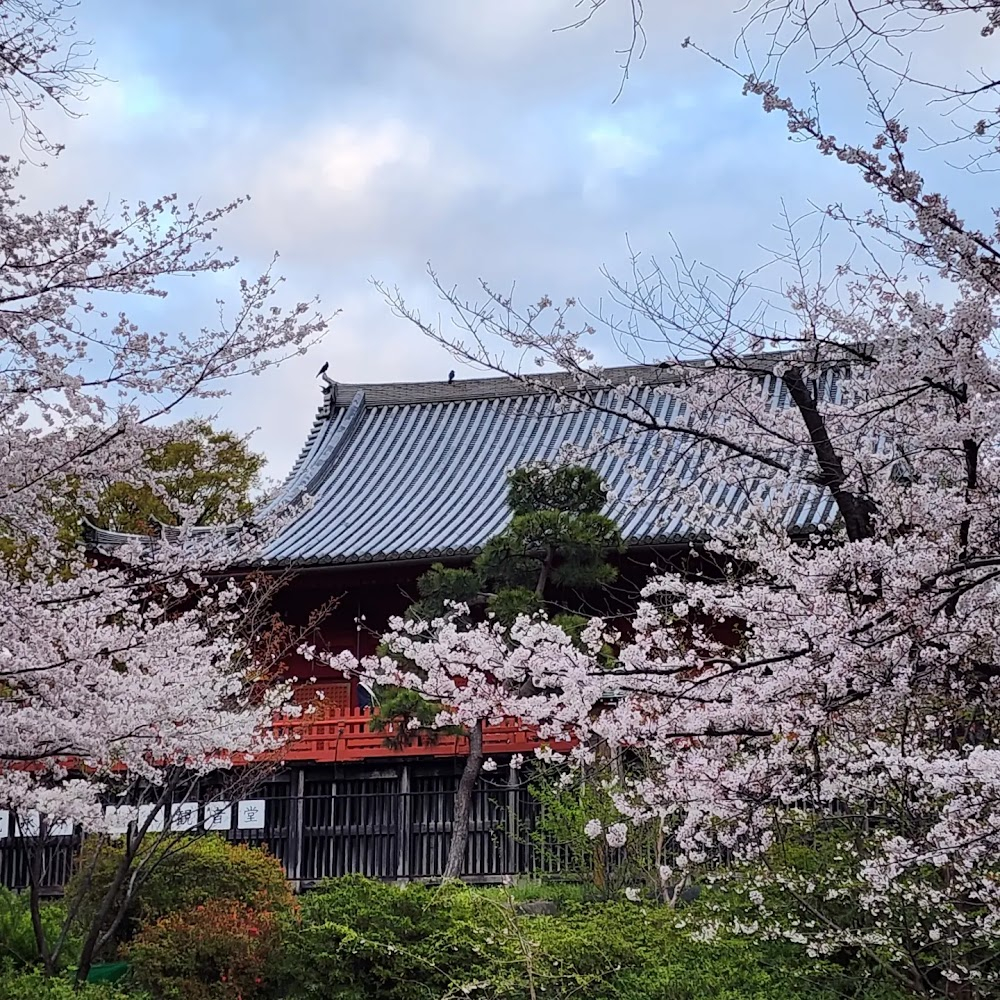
401,476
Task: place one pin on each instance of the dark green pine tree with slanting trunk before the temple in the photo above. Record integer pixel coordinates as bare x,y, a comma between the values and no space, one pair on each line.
557,542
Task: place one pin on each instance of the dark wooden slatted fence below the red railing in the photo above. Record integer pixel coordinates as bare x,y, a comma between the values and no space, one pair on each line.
396,826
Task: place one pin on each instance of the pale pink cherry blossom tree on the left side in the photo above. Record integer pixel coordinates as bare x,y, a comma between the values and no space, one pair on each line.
135,670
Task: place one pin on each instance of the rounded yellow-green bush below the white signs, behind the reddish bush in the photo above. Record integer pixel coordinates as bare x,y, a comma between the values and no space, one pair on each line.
182,873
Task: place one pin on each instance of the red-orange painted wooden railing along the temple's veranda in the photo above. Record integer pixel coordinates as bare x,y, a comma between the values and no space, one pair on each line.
348,736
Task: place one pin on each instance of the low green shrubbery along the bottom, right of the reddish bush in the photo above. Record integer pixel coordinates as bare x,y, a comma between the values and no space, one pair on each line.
359,939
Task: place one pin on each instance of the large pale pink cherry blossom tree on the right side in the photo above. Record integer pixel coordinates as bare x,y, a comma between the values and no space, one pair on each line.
835,445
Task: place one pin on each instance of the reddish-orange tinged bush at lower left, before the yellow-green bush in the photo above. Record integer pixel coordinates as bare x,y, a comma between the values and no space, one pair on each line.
222,950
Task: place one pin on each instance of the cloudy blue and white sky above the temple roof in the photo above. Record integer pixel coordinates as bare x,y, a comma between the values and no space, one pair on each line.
377,135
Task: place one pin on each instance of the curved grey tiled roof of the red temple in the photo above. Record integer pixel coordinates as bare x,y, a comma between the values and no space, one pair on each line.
418,470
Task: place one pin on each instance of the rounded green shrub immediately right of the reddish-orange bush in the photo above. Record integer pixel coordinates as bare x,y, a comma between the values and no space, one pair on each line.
359,938
